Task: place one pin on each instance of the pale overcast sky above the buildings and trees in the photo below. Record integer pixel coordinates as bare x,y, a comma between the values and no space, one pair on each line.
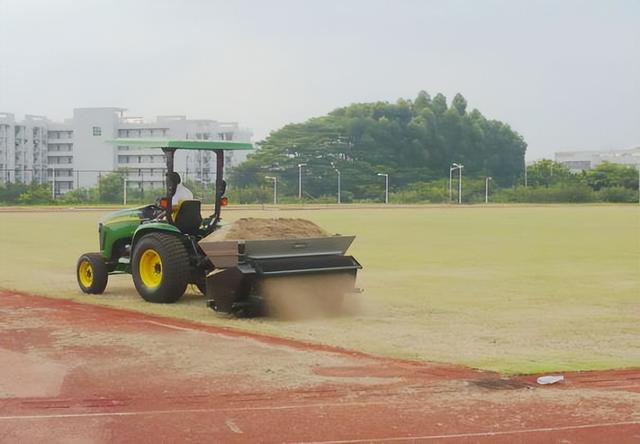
564,74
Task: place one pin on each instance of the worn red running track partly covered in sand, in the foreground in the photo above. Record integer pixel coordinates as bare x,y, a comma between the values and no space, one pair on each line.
82,373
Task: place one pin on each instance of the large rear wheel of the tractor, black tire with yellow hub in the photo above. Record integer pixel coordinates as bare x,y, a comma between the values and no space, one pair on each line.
174,268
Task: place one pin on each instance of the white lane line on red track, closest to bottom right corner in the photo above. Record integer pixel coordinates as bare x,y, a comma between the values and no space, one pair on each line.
477,434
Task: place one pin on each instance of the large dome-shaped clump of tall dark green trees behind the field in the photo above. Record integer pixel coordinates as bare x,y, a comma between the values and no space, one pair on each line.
411,140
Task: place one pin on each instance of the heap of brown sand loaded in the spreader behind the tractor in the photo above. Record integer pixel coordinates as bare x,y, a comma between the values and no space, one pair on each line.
252,228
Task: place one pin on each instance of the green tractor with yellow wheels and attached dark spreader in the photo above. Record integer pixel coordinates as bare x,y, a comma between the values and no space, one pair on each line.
165,249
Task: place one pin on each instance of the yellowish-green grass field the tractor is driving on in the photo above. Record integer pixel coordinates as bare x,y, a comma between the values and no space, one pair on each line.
517,289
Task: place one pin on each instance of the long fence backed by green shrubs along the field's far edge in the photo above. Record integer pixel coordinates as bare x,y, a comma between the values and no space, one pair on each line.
546,182
